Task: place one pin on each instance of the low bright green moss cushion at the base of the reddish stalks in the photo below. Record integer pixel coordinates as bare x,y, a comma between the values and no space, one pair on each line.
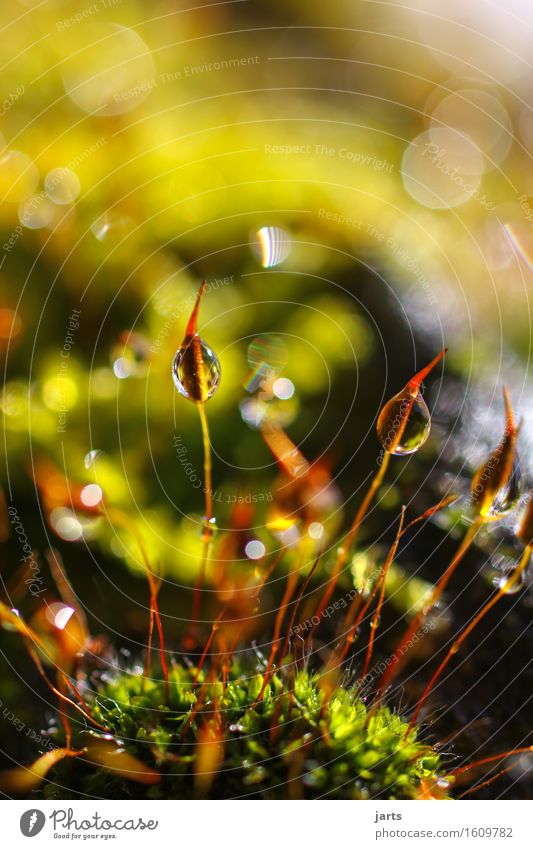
288,743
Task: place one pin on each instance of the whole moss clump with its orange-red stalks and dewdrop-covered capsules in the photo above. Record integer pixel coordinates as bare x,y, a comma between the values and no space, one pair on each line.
218,715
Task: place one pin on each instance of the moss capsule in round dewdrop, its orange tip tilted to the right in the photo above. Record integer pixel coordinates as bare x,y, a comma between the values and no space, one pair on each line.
404,422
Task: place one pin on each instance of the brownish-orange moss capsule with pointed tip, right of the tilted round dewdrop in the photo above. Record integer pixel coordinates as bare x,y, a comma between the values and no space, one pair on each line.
496,484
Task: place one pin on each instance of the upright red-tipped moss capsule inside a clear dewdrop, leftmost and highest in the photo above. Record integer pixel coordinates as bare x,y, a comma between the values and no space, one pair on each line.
195,368
